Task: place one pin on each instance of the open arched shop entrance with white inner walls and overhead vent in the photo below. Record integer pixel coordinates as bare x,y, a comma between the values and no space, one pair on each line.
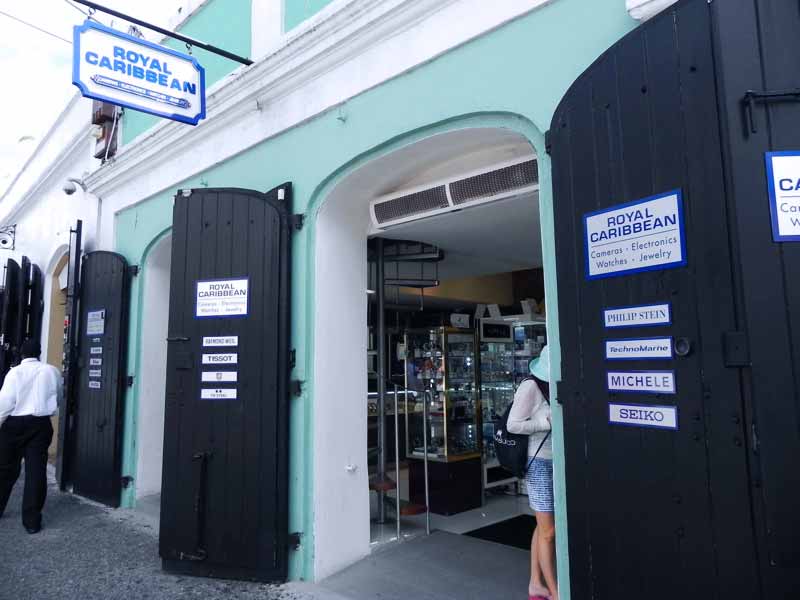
455,218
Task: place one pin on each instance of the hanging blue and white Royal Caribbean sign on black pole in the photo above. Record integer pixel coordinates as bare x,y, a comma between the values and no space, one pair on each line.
121,69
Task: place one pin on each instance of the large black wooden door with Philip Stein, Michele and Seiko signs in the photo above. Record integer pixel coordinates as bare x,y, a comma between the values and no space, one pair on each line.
653,512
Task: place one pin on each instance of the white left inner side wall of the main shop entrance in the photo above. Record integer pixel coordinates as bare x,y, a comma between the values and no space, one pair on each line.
341,494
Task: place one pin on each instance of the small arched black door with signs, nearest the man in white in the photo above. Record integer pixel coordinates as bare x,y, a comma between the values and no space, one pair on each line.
100,381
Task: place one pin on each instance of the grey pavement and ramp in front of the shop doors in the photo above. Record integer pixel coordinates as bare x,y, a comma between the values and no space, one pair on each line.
89,552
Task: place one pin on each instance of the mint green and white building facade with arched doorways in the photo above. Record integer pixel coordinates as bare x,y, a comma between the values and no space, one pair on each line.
349,101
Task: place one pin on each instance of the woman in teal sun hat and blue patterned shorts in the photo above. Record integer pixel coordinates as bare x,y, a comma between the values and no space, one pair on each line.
530,415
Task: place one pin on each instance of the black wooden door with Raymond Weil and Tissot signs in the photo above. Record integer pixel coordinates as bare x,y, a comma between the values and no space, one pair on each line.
224,491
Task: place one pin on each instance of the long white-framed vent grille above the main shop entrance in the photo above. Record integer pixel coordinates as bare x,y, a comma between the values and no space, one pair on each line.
479,187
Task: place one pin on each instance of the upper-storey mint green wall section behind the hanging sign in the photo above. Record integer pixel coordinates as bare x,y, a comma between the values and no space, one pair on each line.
221,23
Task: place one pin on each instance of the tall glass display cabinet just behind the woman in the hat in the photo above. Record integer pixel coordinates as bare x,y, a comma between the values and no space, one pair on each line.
506,347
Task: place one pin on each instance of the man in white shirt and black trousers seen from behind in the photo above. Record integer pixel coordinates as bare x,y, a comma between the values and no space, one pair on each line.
29,397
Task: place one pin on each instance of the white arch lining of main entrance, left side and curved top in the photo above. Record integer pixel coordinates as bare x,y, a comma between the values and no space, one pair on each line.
342,226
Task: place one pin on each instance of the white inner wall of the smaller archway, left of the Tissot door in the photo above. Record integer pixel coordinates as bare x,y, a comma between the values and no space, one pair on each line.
153,373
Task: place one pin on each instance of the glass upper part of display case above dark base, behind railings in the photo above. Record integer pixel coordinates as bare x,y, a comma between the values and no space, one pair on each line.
441,368
